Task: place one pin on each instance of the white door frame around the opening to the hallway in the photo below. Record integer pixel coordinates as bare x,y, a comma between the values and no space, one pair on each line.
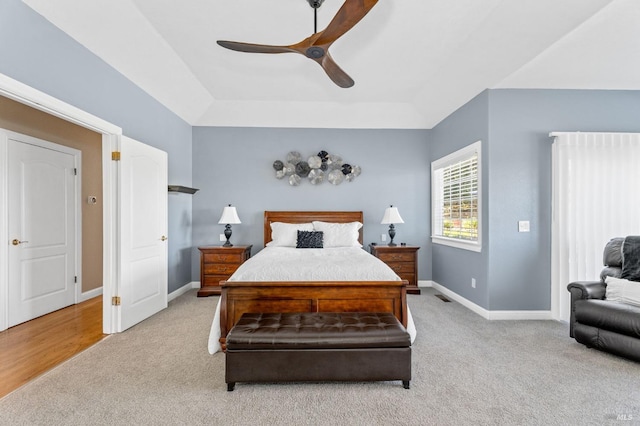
111,135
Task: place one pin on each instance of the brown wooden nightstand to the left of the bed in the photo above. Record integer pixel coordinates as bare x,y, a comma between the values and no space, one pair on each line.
217,264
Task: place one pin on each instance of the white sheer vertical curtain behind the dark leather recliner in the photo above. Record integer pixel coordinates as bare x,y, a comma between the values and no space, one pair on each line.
596,196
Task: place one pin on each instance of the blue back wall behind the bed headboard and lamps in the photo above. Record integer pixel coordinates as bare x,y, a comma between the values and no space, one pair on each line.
234,166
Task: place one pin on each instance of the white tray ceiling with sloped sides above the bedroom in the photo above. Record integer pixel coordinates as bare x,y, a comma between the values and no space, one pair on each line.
414,61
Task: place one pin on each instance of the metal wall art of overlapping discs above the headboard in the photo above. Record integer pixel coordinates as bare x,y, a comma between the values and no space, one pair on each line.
316,169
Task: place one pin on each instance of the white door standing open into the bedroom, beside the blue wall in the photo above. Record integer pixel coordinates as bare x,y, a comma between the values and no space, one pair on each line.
143,232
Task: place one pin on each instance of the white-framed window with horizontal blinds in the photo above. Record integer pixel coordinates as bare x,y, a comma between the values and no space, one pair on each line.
455,199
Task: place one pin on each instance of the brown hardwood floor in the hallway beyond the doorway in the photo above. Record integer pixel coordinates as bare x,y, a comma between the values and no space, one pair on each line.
34,347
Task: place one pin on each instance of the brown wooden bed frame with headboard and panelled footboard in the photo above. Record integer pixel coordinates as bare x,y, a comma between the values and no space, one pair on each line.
239,297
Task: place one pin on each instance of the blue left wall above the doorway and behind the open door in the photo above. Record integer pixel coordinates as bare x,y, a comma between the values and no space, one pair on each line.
36,53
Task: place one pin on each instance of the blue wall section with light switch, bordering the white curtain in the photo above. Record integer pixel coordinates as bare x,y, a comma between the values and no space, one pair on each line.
521,180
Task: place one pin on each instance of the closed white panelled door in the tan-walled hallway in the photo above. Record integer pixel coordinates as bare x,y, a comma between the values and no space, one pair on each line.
42,215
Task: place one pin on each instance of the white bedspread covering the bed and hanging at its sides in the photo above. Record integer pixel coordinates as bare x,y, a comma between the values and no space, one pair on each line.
291,264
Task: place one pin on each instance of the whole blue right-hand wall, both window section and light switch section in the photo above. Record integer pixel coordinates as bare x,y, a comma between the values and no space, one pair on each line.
514,269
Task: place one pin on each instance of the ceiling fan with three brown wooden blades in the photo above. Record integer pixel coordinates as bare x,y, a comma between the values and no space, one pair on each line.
317,45
